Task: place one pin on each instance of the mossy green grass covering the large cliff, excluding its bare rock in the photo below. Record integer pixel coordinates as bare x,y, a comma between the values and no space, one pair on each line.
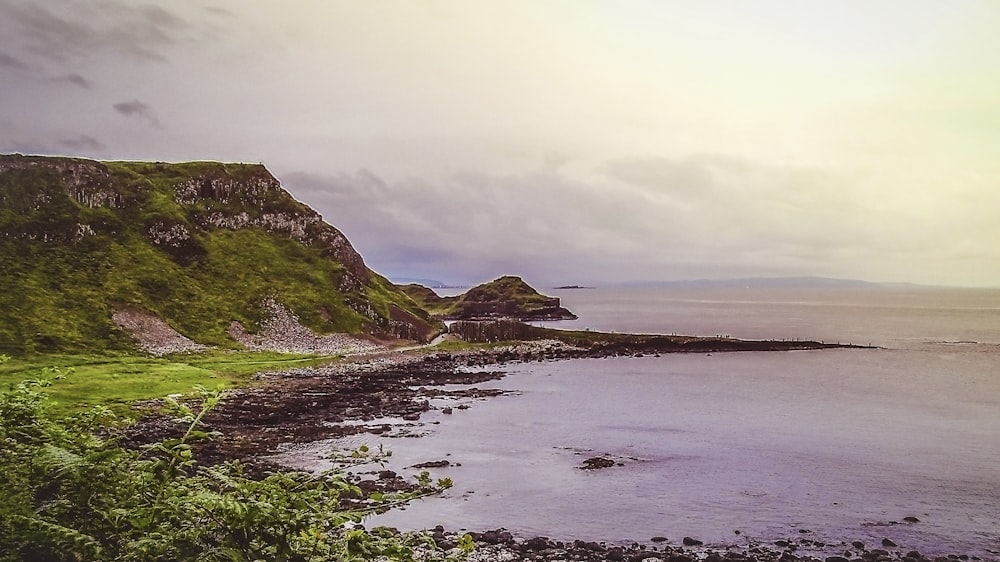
59,295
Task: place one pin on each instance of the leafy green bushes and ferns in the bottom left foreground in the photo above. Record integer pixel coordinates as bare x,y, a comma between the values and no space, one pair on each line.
70,491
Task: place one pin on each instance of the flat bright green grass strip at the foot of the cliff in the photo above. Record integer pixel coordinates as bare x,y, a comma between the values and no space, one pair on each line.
118,381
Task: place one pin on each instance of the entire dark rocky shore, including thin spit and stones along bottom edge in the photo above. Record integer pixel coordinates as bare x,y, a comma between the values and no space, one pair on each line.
388,392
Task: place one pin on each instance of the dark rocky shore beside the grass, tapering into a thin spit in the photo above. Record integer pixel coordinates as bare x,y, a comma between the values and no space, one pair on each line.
305,405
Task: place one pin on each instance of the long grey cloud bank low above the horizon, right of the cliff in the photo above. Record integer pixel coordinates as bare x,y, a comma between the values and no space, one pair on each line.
636,218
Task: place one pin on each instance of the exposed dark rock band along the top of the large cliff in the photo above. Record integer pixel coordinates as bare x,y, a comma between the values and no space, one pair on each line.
229,196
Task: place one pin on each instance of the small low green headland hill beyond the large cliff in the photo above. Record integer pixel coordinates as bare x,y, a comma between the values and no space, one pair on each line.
506,297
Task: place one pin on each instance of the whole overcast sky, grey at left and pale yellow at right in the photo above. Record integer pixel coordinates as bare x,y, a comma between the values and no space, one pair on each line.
568,141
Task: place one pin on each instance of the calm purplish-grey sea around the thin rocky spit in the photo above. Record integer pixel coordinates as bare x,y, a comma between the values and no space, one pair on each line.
898,442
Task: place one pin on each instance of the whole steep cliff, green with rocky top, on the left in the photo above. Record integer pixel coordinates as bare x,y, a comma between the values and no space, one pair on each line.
199,245
